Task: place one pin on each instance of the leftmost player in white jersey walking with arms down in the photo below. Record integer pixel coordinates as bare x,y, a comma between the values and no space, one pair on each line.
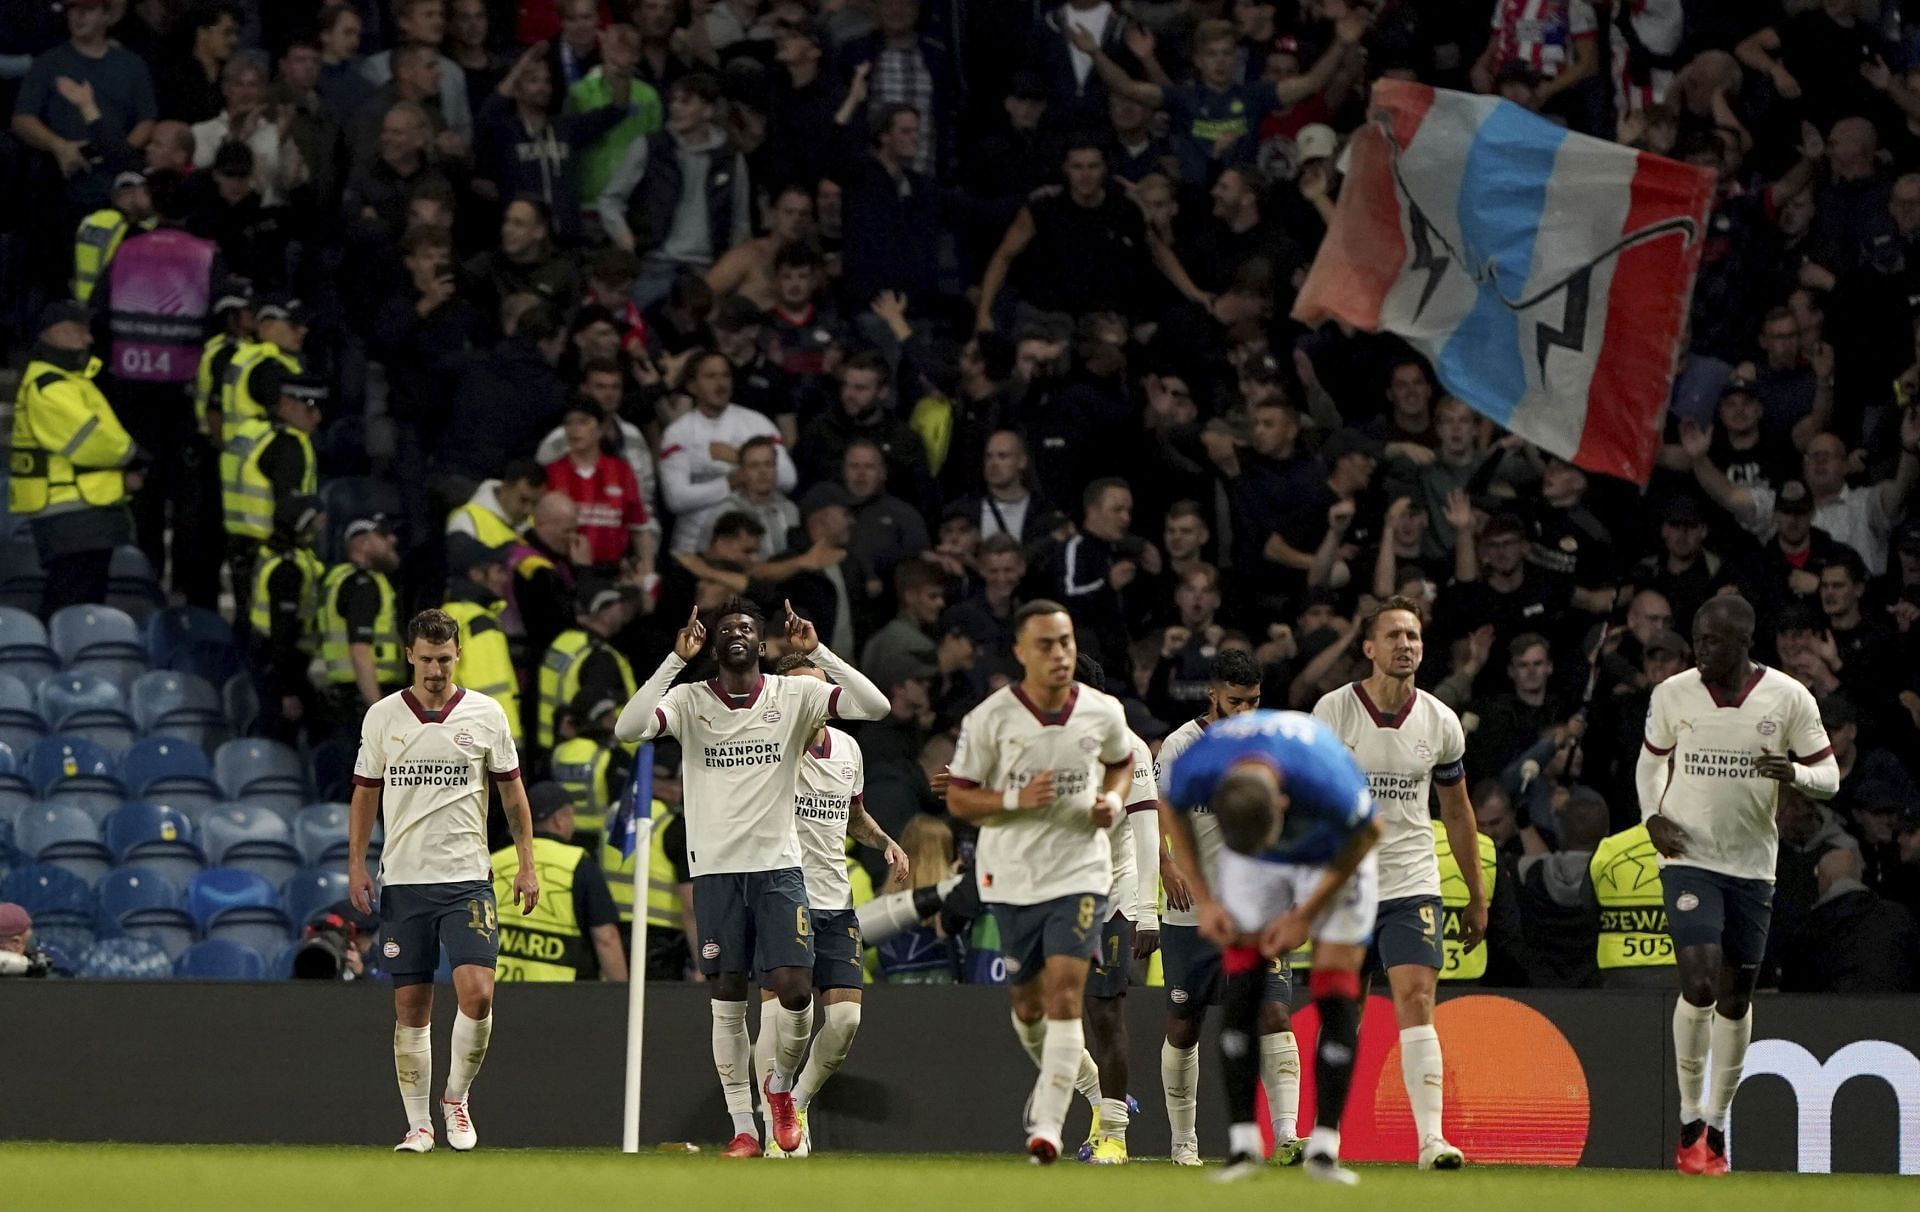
425,760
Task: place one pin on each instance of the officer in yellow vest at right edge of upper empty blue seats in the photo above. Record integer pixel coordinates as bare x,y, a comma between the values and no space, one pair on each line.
285,616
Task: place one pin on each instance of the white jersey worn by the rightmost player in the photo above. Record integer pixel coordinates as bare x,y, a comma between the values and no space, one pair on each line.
1712,790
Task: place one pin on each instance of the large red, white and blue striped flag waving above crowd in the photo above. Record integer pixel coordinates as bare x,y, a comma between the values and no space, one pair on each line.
1545,274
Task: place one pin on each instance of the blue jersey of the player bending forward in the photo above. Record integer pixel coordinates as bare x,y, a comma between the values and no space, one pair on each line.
1328,798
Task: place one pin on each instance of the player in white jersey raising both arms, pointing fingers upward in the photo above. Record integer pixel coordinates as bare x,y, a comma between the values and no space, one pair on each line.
742,739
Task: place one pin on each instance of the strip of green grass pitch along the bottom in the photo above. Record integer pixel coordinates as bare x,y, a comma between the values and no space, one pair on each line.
285,1178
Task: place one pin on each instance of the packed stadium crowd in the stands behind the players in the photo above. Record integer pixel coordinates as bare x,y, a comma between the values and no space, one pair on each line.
575,318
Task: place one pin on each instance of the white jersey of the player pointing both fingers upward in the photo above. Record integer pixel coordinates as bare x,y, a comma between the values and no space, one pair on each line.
740,765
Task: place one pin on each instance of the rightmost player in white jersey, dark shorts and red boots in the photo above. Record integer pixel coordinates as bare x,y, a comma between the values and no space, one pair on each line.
1721,740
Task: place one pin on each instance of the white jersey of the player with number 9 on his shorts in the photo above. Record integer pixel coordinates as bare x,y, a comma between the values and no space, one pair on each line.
1403,756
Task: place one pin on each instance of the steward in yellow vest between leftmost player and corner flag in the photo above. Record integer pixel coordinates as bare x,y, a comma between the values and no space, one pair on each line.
575,931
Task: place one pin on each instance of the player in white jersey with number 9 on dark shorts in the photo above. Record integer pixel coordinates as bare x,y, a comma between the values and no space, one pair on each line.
1406,740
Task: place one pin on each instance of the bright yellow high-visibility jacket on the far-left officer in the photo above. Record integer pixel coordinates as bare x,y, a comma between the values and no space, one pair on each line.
68,445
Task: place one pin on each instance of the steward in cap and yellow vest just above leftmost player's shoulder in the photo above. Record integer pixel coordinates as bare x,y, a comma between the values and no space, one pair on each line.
360,623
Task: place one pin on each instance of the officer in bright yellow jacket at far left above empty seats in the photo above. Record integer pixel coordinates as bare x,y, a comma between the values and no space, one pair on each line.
70,462
